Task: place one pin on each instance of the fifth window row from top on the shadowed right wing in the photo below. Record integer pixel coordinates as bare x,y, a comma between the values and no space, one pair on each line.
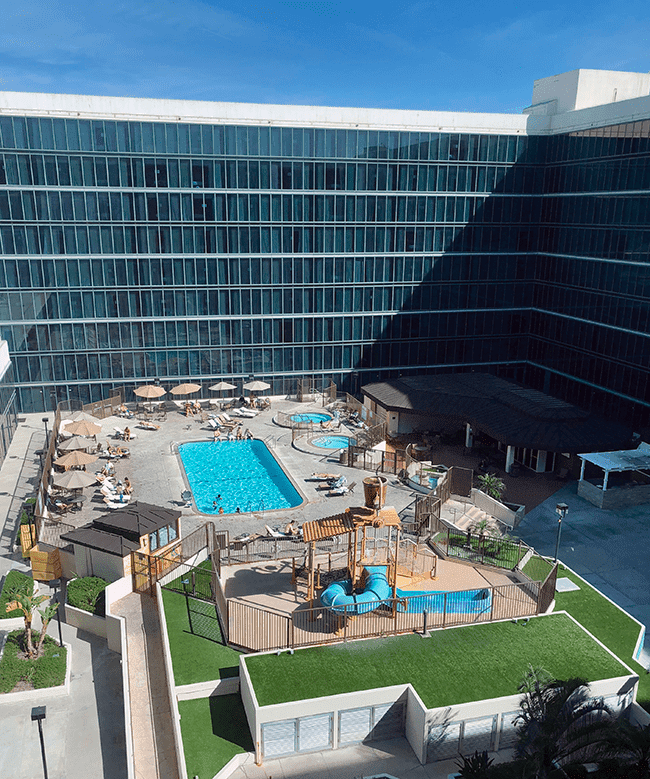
625,279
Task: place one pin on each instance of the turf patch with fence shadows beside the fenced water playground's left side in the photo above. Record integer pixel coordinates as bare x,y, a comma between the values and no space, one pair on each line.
195,641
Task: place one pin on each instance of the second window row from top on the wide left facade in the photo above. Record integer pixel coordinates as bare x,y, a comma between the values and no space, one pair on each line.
64,171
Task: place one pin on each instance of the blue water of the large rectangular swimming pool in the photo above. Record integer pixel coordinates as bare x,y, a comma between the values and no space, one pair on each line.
244,473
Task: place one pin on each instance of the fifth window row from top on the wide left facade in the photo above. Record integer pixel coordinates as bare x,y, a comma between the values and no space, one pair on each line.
136,272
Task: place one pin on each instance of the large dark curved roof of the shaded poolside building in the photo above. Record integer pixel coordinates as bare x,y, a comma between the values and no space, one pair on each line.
512,414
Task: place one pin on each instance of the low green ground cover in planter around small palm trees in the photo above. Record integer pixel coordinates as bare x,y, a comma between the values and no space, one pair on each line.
45,671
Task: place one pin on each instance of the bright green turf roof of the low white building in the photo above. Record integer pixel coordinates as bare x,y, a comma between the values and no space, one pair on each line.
459,665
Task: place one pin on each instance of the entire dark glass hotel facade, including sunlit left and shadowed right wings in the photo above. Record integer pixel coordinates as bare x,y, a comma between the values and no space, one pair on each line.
135,250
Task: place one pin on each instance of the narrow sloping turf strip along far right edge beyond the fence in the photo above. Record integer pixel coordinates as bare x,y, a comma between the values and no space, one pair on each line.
616,629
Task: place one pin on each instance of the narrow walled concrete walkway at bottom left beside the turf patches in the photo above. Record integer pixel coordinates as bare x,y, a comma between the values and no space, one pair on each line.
151,723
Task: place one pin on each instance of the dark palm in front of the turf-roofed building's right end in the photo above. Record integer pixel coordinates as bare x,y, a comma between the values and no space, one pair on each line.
558,724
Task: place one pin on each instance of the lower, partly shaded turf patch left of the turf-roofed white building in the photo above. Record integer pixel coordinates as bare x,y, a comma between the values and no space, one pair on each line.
214,730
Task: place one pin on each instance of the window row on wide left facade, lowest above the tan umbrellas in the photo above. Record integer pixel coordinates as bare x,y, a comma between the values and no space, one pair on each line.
130,366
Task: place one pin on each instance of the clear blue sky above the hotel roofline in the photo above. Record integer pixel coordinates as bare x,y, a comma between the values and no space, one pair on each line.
453,56
